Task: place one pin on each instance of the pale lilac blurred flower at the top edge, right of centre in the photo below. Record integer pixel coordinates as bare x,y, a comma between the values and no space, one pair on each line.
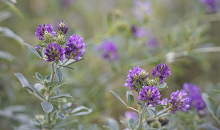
141,9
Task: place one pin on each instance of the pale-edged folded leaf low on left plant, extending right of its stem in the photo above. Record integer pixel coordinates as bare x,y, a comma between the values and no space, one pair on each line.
81,110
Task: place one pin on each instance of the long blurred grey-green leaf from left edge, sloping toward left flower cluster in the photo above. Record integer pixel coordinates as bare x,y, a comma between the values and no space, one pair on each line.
8,33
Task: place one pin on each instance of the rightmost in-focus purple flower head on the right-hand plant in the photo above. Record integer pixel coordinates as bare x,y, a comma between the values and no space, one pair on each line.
179,101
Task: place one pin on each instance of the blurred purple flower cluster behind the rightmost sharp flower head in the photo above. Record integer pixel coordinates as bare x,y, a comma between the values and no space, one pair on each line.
195,98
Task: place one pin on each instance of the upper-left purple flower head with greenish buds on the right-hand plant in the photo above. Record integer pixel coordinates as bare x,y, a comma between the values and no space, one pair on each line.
135,75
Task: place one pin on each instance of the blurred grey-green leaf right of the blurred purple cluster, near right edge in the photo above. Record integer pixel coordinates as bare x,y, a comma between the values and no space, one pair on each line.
210,103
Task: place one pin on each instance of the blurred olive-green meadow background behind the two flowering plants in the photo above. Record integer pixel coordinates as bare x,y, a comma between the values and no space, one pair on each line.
184,34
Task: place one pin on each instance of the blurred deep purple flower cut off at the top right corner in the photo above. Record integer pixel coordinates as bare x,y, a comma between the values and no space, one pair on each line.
211,5
